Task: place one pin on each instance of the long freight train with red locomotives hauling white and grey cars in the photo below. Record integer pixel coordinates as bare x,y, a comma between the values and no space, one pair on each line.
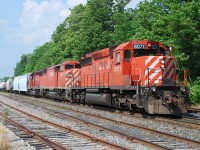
136,75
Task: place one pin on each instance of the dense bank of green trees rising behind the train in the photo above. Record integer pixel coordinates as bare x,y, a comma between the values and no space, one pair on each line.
105,23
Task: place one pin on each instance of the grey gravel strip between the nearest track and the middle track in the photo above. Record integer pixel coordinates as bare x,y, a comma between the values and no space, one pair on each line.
39,112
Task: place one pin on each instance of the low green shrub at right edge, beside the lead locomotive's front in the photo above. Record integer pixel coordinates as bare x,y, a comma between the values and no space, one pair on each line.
195,92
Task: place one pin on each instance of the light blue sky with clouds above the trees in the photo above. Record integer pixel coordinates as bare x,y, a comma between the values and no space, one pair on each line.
26,24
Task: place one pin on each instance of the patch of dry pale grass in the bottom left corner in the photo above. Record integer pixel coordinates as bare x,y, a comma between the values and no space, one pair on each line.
4,140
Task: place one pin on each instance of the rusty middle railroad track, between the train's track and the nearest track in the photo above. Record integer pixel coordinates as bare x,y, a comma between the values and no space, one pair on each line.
152,139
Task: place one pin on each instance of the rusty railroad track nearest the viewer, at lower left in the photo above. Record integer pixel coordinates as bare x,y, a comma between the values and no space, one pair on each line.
45,134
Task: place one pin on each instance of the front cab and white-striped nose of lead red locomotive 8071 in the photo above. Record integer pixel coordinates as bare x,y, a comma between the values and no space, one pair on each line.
147,69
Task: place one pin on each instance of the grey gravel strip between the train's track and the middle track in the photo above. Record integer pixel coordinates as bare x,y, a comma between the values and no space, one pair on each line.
149,123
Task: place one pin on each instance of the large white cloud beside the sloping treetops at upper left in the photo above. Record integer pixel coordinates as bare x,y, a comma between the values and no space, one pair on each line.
39,20
